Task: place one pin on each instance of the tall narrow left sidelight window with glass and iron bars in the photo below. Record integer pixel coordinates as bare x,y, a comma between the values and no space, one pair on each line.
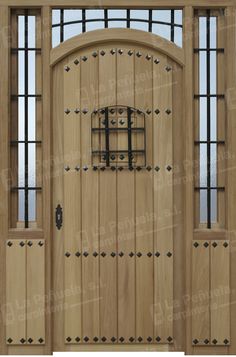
25,139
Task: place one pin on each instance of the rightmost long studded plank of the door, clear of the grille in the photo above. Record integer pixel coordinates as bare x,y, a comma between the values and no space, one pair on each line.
163,193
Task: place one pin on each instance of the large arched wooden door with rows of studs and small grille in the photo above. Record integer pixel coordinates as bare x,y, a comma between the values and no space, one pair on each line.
116,104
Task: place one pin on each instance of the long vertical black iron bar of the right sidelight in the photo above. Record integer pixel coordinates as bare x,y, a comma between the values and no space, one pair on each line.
208,64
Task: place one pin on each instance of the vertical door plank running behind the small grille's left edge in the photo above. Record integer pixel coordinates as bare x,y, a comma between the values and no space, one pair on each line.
90,202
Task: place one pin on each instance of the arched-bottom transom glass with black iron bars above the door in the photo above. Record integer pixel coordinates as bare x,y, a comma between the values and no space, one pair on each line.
67,23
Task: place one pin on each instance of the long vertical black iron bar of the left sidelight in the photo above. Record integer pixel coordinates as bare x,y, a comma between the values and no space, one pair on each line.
26,79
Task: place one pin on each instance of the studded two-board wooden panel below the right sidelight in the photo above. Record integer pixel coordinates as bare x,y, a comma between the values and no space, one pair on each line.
210,293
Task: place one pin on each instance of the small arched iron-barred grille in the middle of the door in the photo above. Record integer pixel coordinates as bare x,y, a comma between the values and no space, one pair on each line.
118,137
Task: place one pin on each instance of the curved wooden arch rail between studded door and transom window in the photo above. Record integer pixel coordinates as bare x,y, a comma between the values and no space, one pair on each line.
126,36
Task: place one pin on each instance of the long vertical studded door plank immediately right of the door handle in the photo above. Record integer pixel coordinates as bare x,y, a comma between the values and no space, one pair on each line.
72,203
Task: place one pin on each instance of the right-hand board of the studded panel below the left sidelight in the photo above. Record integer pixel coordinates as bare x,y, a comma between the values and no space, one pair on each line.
36,292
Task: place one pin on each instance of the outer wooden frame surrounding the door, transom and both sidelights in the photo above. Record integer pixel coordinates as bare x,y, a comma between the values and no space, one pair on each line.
187,51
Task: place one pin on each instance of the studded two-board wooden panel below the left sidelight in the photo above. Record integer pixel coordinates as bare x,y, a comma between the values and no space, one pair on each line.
25,287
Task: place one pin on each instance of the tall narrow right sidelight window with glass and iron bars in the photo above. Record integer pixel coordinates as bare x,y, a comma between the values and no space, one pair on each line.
209,136
